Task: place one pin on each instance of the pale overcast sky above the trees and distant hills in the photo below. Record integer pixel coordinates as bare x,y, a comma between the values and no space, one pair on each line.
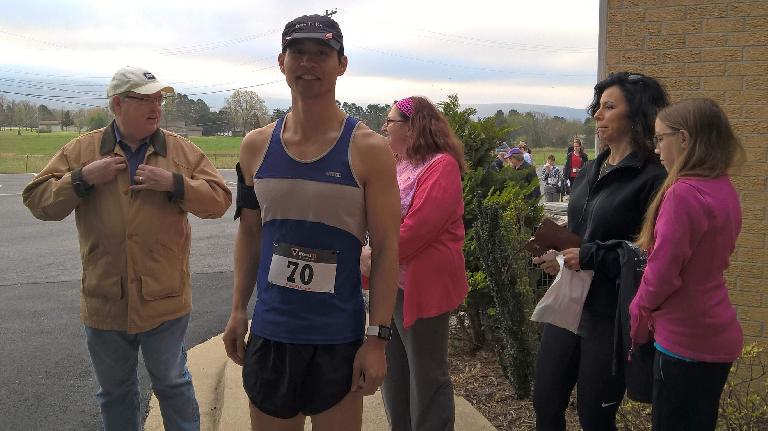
539,52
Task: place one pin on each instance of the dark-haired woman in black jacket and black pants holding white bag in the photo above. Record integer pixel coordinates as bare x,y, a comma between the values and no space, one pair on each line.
607,203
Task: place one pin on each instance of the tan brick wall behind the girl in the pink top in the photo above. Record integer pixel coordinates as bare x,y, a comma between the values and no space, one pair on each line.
701,48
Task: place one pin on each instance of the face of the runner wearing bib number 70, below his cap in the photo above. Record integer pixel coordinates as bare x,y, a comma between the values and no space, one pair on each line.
311,67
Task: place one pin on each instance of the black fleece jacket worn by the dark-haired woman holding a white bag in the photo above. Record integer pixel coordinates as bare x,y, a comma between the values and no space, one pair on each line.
609,208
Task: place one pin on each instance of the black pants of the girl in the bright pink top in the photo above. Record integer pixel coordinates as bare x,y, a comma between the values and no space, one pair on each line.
686,395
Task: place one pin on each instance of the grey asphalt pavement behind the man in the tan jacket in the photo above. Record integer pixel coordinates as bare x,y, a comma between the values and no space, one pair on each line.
46,379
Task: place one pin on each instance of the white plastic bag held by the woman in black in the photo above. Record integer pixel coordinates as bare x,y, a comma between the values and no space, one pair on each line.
561,305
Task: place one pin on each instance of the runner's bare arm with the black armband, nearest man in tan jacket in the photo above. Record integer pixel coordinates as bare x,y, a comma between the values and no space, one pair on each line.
247,247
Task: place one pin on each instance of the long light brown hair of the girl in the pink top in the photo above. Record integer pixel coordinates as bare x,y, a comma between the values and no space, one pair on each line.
712,149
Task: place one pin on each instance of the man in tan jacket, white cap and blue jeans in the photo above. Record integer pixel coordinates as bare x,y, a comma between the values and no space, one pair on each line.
131,186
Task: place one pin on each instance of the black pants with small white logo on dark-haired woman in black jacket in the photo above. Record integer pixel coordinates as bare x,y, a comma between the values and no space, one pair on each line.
566,360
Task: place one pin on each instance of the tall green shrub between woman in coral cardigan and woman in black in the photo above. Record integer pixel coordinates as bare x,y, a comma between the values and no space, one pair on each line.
498,219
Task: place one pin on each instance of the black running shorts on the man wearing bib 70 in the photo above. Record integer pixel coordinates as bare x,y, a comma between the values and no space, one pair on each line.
283,379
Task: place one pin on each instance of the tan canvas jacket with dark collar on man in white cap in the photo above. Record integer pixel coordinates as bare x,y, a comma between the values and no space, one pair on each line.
134,245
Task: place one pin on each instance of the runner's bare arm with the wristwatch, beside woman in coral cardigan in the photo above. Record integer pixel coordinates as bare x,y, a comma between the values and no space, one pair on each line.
375,167
